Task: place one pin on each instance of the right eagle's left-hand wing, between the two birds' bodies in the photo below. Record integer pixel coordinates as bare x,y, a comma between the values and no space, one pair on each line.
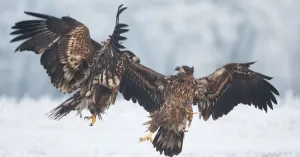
143,85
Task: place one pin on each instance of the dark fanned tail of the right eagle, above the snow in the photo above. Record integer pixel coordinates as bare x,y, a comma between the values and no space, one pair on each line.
168,141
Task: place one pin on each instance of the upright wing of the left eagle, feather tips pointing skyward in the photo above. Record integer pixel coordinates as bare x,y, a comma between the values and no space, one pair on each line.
108,59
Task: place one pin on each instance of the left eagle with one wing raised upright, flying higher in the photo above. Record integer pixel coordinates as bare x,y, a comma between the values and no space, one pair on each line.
68,54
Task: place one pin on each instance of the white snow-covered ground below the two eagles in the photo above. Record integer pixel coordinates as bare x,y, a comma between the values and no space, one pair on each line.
27,132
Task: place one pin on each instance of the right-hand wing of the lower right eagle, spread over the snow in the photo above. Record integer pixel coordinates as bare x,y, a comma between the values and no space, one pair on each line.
230,85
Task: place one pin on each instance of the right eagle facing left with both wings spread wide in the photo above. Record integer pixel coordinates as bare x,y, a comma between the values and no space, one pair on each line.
172,98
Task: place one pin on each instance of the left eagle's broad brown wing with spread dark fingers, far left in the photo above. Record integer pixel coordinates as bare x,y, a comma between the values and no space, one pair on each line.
64,43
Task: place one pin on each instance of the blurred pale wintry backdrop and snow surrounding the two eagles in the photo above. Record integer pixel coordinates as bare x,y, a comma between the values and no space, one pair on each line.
164,34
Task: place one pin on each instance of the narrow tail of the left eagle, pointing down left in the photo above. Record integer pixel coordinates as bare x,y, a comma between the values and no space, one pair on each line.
71,104
